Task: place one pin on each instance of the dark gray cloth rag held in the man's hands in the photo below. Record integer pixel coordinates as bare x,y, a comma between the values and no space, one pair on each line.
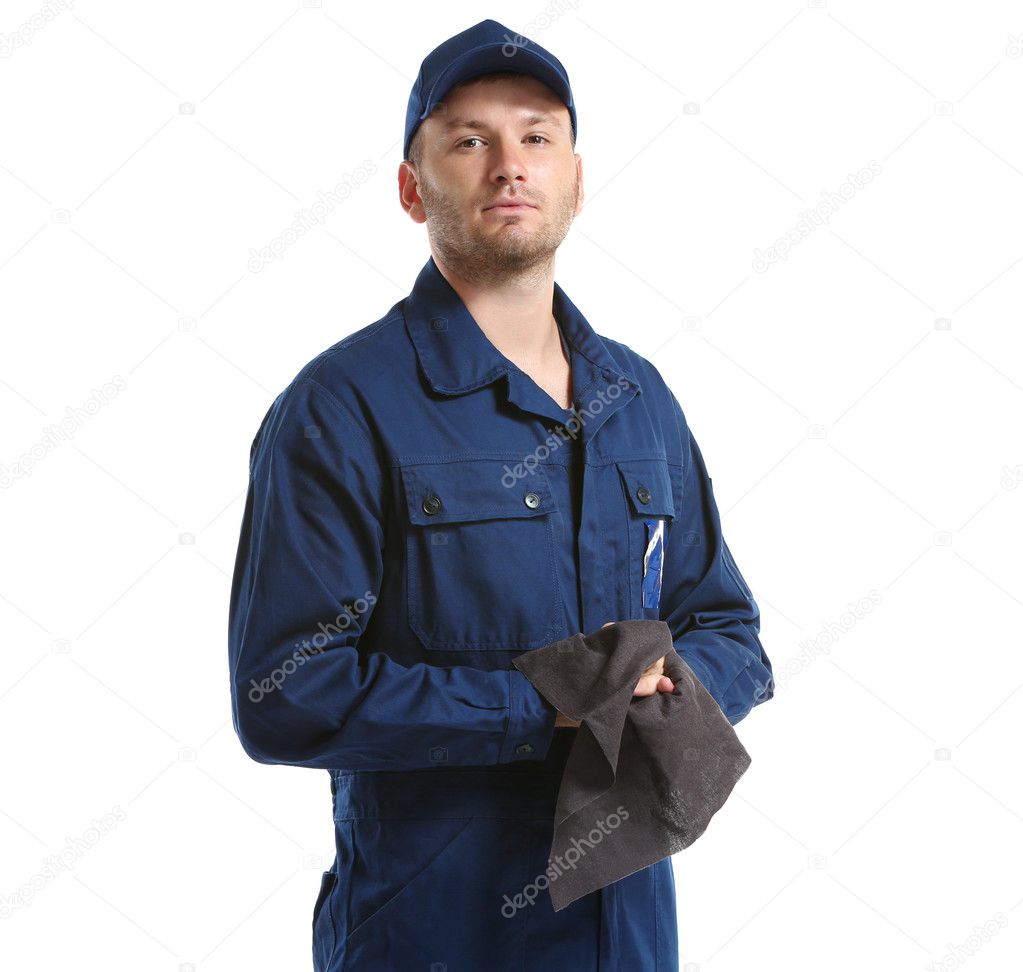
646,774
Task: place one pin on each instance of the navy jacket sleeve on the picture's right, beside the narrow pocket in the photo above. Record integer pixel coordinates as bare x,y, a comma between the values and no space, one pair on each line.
715,620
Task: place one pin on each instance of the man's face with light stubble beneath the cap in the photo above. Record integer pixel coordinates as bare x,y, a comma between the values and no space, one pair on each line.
503,142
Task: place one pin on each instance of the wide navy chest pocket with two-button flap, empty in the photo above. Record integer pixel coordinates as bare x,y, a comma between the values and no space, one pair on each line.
480,556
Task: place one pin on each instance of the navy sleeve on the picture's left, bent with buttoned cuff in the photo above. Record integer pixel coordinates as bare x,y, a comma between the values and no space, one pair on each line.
305,690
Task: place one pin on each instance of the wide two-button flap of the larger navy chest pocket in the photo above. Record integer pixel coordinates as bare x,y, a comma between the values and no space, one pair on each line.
461,491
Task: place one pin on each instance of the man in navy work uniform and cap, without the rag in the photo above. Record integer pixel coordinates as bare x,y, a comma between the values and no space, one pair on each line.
475,475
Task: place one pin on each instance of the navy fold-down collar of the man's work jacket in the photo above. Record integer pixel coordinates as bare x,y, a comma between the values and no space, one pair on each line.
458,358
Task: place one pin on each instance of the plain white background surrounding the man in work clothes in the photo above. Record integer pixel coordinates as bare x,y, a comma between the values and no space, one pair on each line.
859,405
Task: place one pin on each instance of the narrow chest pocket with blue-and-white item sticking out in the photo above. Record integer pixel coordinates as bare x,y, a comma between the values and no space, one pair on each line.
650,510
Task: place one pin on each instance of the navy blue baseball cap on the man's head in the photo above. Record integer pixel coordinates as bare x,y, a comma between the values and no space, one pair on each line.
484,49
